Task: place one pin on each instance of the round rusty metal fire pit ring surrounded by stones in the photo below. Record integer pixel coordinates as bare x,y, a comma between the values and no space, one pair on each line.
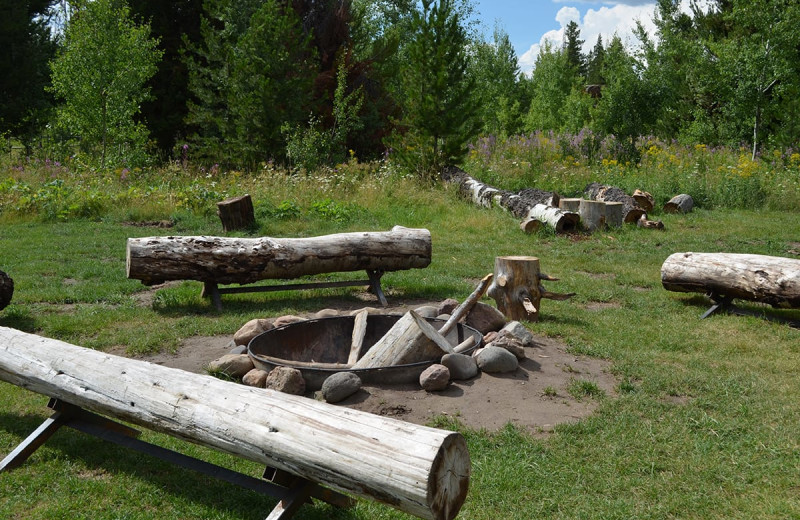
320,347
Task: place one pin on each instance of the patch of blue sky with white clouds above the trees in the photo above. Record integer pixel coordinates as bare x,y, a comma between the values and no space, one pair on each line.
530,22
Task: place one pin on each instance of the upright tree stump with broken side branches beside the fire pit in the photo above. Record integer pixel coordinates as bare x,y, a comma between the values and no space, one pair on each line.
517,289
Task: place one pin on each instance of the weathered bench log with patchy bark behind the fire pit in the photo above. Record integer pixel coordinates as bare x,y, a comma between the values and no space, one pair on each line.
155,260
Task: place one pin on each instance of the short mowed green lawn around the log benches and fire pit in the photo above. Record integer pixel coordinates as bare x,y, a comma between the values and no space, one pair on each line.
705,422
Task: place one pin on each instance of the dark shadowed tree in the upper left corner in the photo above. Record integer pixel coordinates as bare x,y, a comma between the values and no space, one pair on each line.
24,74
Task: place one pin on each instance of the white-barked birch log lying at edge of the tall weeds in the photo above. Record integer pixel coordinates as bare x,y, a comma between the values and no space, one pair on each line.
522,205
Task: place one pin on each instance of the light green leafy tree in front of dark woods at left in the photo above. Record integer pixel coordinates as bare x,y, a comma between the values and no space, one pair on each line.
100,75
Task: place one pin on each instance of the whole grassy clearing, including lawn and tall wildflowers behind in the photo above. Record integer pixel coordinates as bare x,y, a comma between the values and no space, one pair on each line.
704,422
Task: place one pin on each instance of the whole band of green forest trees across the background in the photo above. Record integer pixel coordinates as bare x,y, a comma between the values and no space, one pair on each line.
243,83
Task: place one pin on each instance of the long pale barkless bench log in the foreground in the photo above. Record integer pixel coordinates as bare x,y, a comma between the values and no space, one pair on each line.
420,470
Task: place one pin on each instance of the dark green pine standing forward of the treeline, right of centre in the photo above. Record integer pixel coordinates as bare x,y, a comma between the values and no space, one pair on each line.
438,109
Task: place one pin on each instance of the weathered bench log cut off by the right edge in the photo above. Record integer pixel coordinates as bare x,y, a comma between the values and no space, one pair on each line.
766,279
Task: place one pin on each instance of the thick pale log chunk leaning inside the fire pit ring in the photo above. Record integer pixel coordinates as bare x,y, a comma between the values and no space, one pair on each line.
410,340
